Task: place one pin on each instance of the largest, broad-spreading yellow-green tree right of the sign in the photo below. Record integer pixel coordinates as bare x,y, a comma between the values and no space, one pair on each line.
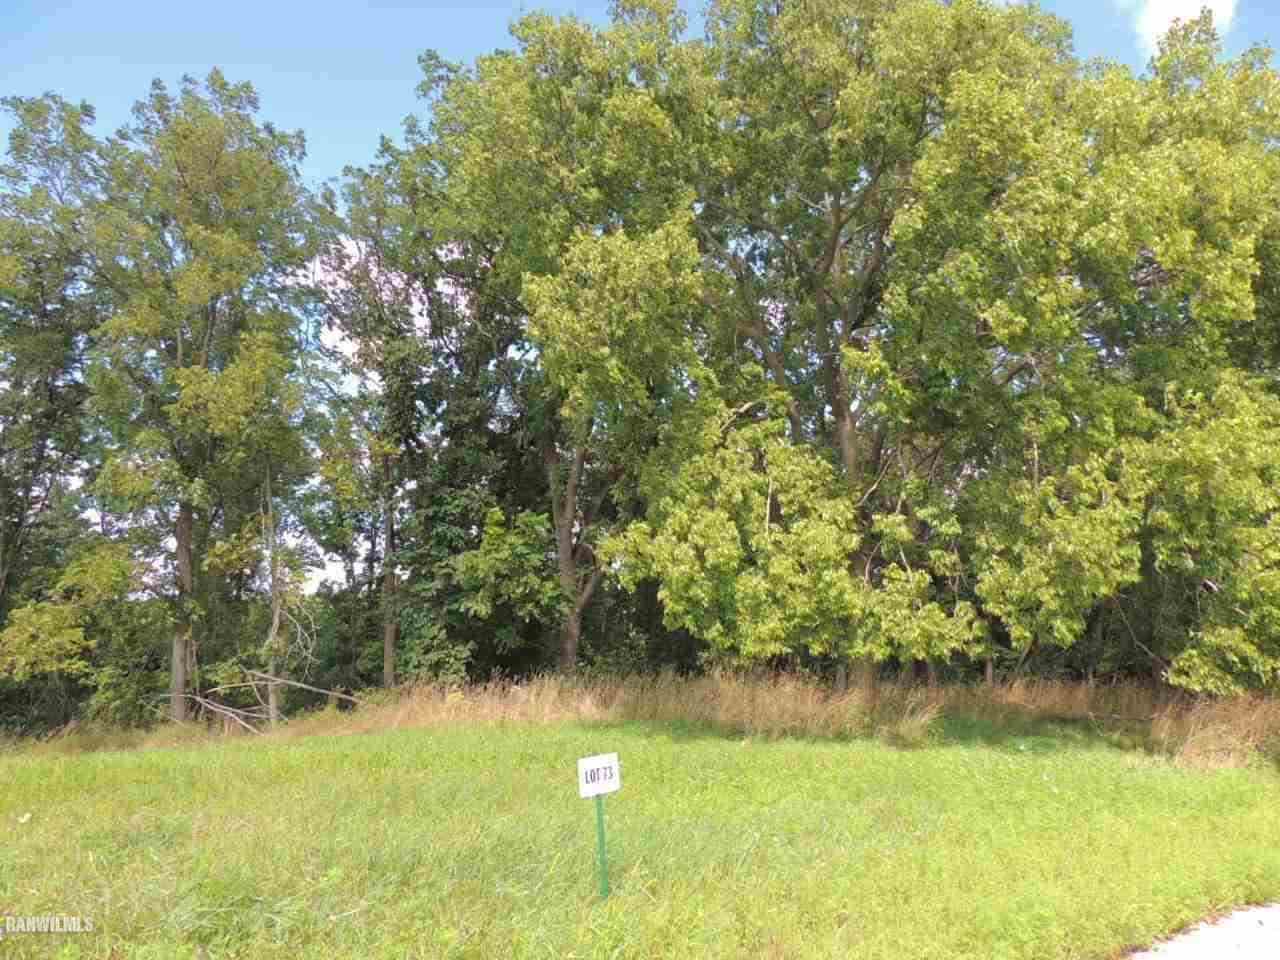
968,272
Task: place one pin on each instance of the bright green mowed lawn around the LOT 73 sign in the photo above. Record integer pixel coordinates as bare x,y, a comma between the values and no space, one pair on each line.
470,842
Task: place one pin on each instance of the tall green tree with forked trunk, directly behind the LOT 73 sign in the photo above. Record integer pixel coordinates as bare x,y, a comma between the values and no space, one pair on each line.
538,156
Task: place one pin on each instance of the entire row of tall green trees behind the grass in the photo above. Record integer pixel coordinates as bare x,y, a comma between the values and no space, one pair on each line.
851,337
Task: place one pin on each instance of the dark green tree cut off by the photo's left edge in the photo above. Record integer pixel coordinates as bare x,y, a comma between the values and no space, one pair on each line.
48,313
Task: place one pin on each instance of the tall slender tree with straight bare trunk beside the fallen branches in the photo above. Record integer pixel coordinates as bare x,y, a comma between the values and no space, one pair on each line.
202,234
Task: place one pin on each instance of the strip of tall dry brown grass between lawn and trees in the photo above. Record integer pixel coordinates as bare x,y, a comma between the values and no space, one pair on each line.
1197,733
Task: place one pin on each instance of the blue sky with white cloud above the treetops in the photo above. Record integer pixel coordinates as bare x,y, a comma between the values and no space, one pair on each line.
348,76
